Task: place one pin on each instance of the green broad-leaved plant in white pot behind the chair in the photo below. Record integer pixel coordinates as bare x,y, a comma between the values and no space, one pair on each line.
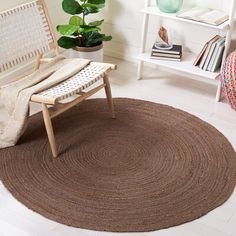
85,38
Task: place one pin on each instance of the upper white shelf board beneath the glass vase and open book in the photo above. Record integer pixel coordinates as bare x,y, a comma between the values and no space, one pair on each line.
155,11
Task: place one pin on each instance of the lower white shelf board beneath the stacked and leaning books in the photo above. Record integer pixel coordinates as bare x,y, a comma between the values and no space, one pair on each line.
186,65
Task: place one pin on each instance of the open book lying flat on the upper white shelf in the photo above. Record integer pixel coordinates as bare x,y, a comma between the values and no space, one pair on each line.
205,15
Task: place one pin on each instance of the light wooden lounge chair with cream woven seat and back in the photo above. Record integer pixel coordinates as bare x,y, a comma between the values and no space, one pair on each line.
26,33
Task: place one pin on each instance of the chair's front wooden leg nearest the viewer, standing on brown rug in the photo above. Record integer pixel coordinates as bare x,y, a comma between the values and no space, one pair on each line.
49,129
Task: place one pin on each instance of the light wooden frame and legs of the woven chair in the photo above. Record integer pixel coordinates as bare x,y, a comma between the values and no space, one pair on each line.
56,107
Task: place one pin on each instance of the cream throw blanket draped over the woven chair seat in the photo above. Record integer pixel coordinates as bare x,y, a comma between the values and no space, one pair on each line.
15,97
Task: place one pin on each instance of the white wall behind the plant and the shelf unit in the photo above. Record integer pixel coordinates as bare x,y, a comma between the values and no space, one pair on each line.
123,21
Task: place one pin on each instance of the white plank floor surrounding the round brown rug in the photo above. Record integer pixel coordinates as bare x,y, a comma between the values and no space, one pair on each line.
194,97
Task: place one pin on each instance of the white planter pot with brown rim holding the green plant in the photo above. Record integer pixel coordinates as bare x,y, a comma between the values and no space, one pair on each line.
91,53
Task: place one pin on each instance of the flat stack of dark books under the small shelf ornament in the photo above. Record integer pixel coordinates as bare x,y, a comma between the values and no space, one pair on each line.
173,54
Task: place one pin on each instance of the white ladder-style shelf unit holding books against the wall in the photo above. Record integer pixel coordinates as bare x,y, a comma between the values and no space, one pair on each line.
186,65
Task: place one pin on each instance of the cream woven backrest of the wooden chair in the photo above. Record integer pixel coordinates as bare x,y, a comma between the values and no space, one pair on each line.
25,32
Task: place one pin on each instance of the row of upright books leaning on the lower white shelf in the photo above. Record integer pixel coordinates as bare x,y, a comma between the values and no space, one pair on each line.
210,57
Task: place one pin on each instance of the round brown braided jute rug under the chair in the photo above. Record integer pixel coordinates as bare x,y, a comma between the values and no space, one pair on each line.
151,168
